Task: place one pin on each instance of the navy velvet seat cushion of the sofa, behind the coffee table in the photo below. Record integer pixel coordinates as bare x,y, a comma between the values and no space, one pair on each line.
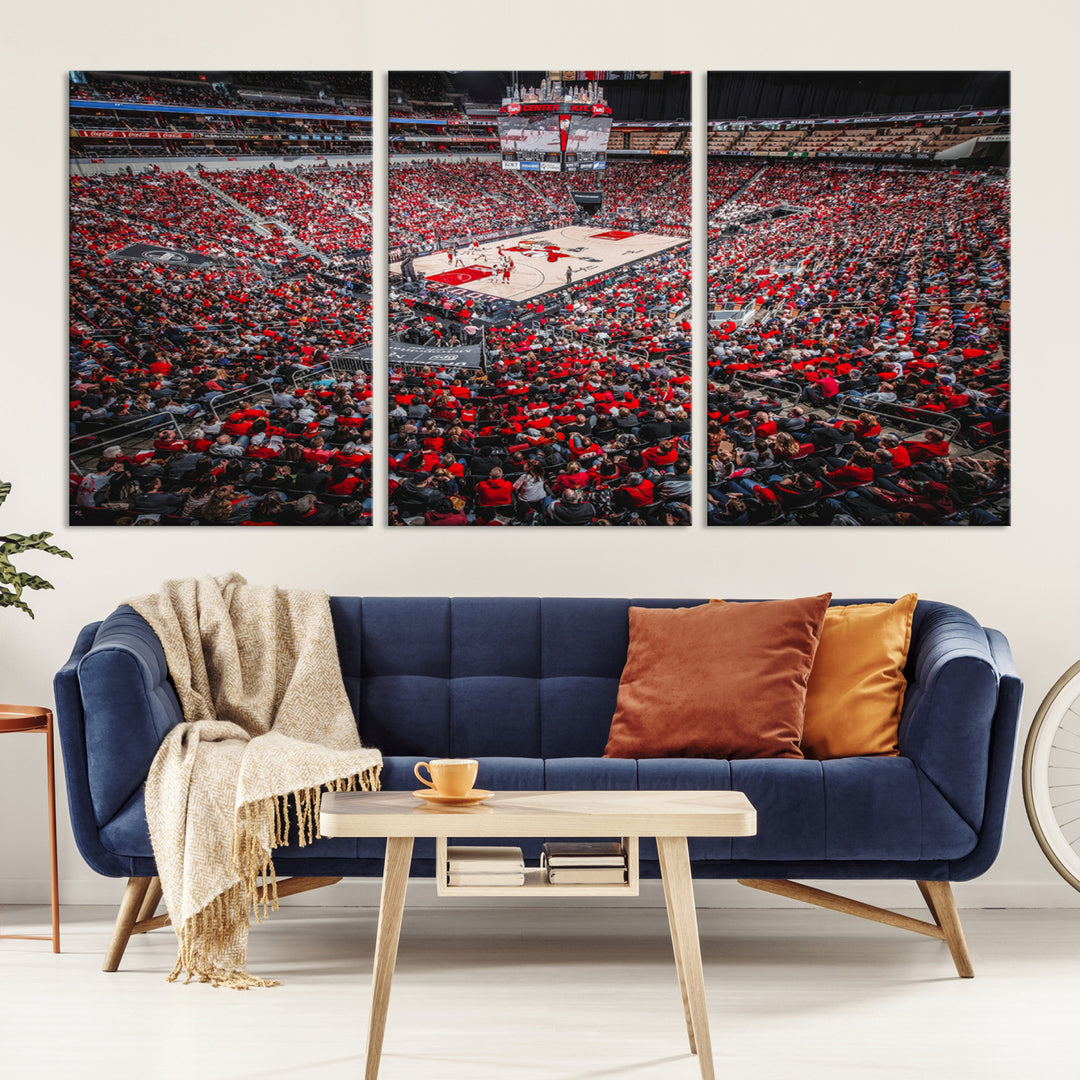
850,809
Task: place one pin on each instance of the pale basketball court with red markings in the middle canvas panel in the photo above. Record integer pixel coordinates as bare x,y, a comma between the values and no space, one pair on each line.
541,261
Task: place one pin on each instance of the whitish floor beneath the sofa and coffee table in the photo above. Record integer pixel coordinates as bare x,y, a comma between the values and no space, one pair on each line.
556,993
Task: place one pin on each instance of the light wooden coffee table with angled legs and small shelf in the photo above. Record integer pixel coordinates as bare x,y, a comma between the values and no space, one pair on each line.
669,817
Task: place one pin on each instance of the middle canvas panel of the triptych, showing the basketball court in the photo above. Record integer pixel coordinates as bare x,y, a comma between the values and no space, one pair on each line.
539,319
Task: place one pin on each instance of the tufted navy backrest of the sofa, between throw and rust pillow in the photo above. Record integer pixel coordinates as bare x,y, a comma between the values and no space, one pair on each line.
485,677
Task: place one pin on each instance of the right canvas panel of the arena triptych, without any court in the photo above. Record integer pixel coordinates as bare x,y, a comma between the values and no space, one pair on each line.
859,299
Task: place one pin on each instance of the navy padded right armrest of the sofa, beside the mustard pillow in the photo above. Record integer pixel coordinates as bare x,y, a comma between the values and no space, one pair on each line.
951,705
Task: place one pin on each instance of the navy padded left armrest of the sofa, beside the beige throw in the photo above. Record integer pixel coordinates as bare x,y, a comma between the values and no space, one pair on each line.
129,706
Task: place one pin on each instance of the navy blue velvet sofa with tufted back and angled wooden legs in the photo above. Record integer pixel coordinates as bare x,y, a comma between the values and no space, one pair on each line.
529,686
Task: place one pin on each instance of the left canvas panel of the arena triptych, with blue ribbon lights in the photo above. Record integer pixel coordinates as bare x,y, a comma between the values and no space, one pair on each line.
221,316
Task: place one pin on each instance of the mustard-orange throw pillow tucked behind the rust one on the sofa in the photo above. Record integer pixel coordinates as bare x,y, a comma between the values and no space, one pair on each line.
857,686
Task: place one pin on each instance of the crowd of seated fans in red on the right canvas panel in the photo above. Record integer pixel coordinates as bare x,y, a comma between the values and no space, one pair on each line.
859,348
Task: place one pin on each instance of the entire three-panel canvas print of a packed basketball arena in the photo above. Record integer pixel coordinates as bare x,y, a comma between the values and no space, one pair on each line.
541,300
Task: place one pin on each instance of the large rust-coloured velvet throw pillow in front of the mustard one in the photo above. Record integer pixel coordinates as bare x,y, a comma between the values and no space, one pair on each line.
717,681
